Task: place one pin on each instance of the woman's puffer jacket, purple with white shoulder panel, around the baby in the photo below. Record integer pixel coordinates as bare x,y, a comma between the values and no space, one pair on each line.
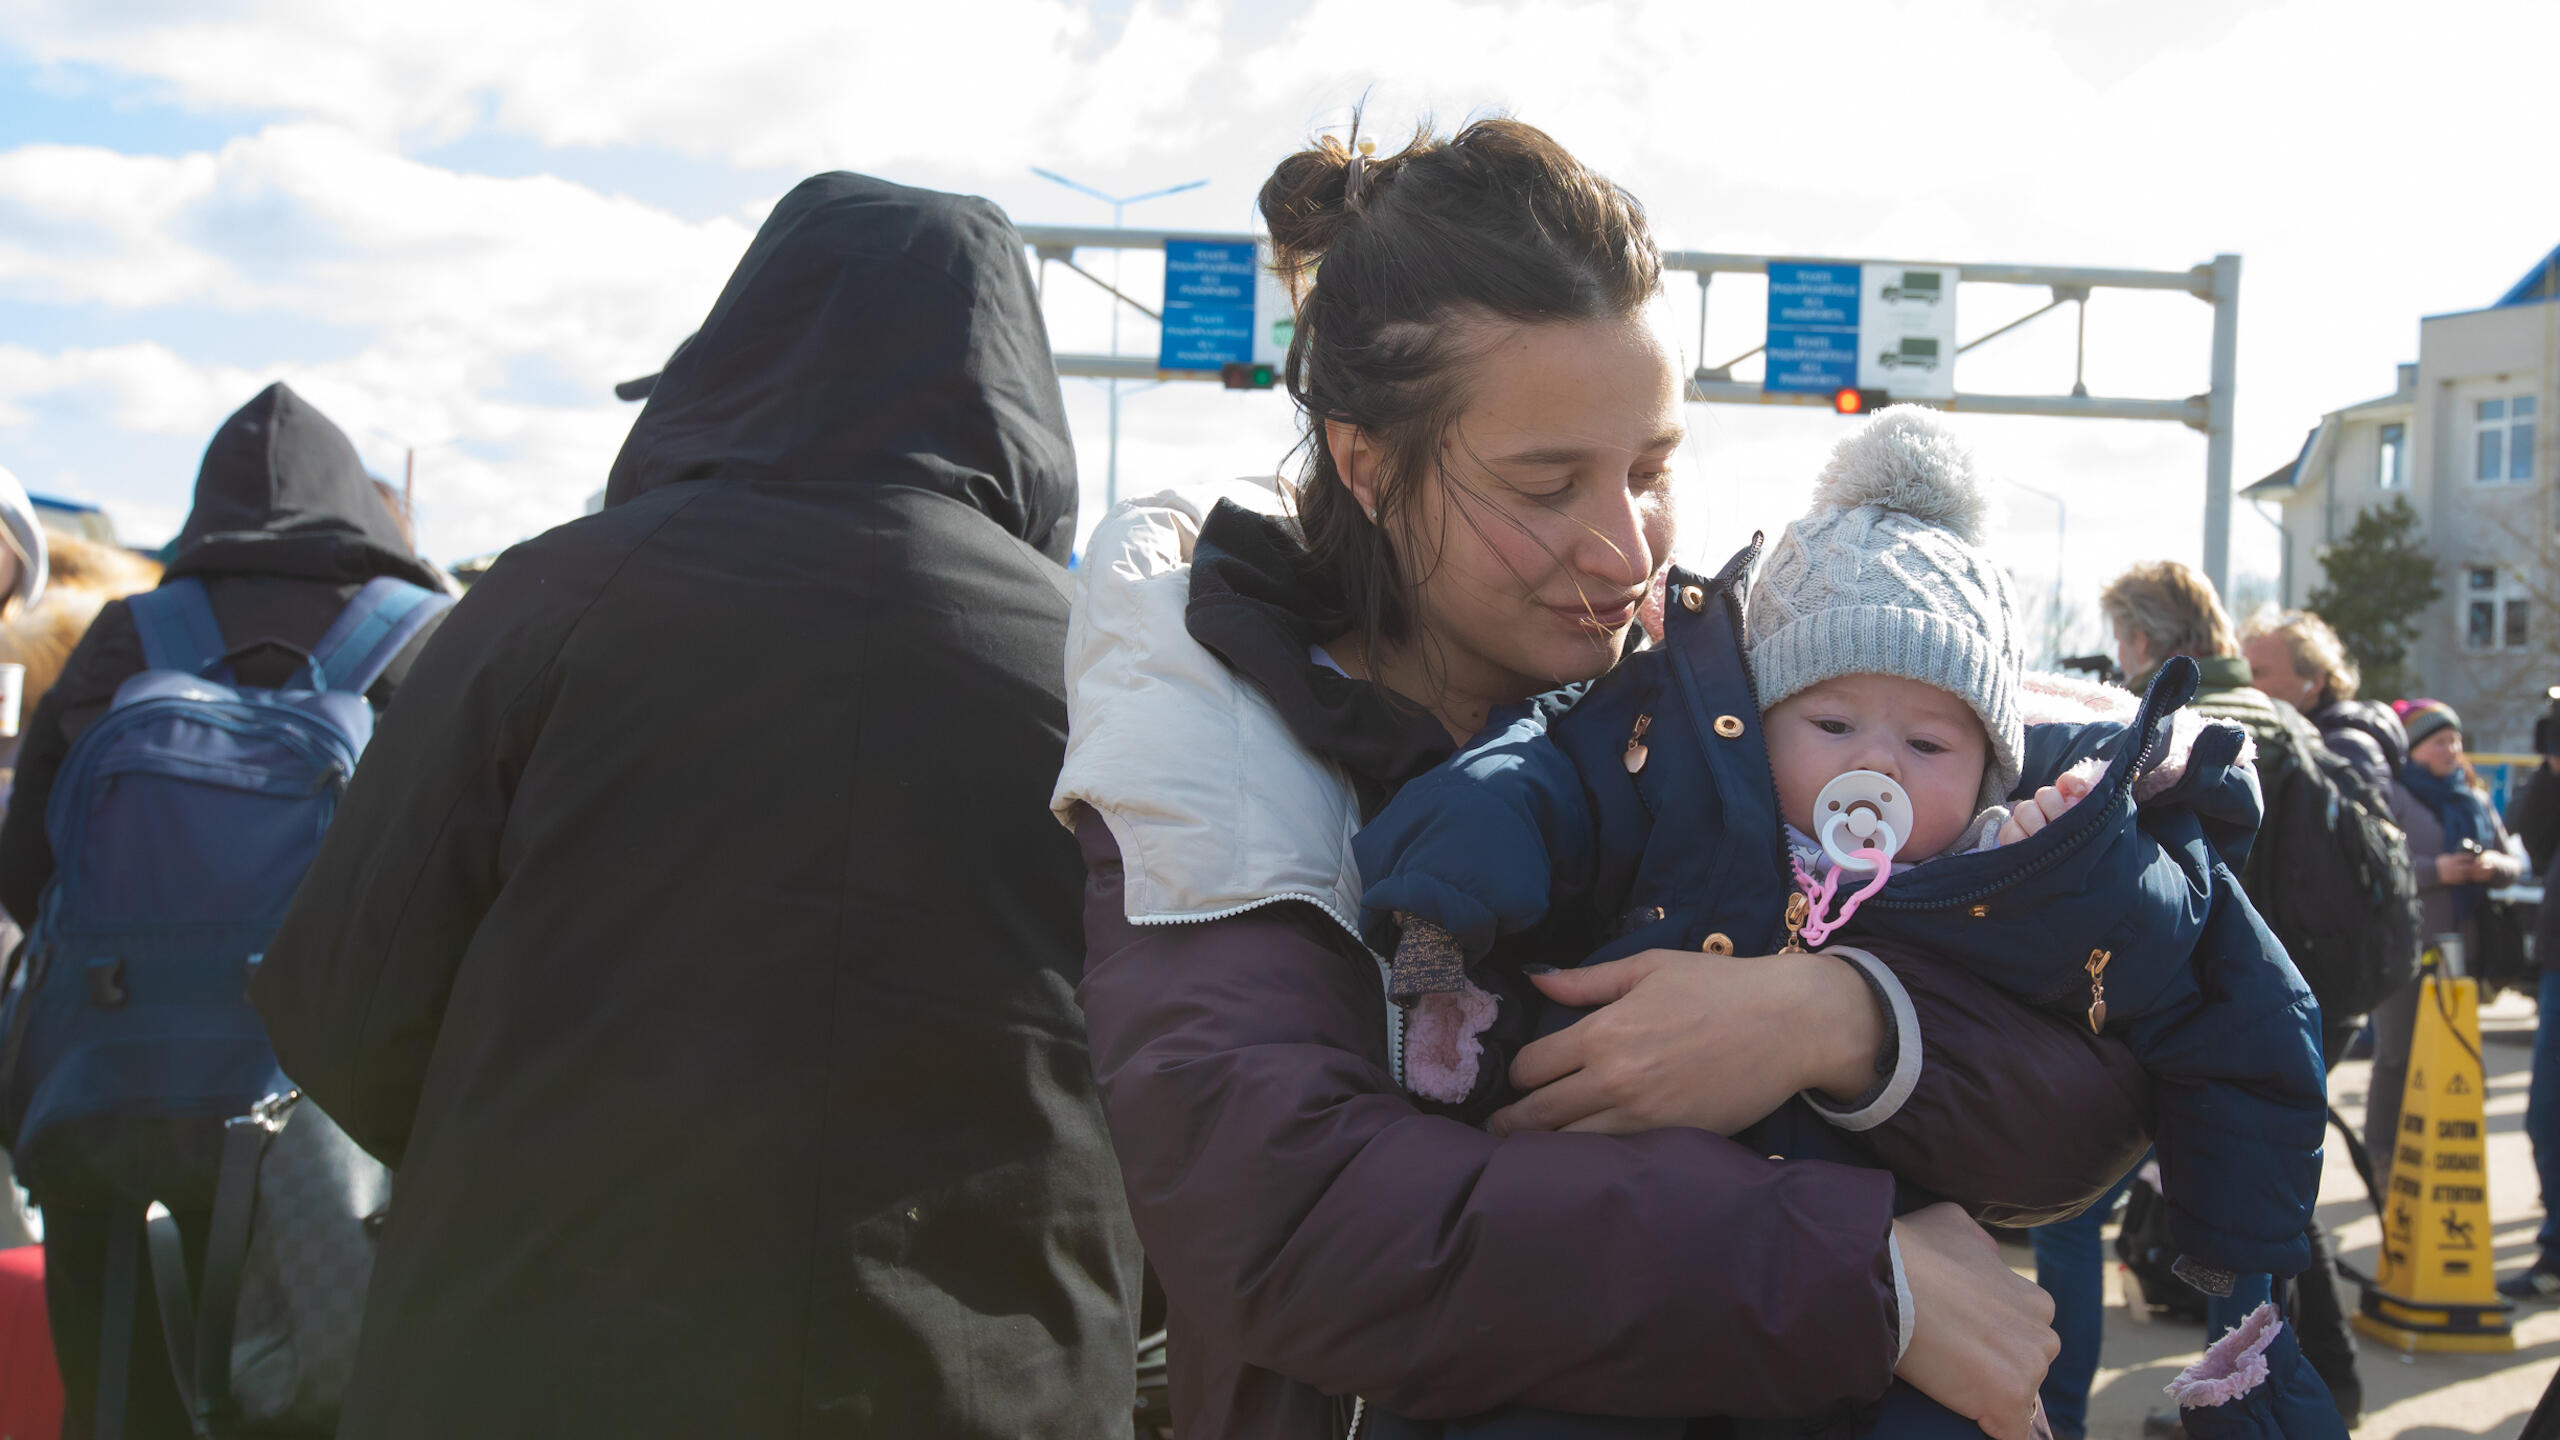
1320,1236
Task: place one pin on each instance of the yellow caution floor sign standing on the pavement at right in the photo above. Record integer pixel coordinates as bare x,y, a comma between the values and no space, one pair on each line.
2438,1288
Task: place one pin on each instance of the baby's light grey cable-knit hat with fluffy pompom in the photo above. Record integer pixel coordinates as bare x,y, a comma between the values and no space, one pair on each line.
1885,575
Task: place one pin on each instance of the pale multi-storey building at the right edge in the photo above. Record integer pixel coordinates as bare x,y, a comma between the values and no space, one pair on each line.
2467,437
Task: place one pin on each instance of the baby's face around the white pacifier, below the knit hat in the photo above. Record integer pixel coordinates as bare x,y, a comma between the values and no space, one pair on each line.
1916,734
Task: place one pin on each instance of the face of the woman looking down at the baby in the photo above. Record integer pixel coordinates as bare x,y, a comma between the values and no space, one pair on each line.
1550,514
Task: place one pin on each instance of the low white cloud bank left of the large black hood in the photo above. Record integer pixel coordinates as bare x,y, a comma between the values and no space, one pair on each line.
460,288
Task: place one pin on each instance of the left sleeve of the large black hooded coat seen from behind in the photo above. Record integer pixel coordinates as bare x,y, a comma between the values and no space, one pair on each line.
355,985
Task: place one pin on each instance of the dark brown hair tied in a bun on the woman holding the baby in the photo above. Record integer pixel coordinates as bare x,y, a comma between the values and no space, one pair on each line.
1396,263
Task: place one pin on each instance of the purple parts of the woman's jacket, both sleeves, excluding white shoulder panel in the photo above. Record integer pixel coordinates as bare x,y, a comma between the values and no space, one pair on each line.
1320,1236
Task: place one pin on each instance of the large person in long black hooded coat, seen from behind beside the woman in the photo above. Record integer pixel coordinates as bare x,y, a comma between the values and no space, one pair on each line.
698,944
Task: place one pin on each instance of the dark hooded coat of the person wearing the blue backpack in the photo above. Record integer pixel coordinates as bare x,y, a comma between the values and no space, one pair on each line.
285,532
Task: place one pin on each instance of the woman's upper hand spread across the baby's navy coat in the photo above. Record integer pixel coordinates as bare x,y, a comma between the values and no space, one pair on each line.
1688,1039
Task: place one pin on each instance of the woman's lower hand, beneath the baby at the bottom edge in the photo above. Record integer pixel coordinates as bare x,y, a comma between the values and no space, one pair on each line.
1980,1334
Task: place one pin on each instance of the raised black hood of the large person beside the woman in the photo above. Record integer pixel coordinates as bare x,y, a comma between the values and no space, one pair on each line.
872,337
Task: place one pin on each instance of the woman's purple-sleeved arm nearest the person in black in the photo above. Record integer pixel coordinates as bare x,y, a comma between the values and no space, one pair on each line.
1307,1218
